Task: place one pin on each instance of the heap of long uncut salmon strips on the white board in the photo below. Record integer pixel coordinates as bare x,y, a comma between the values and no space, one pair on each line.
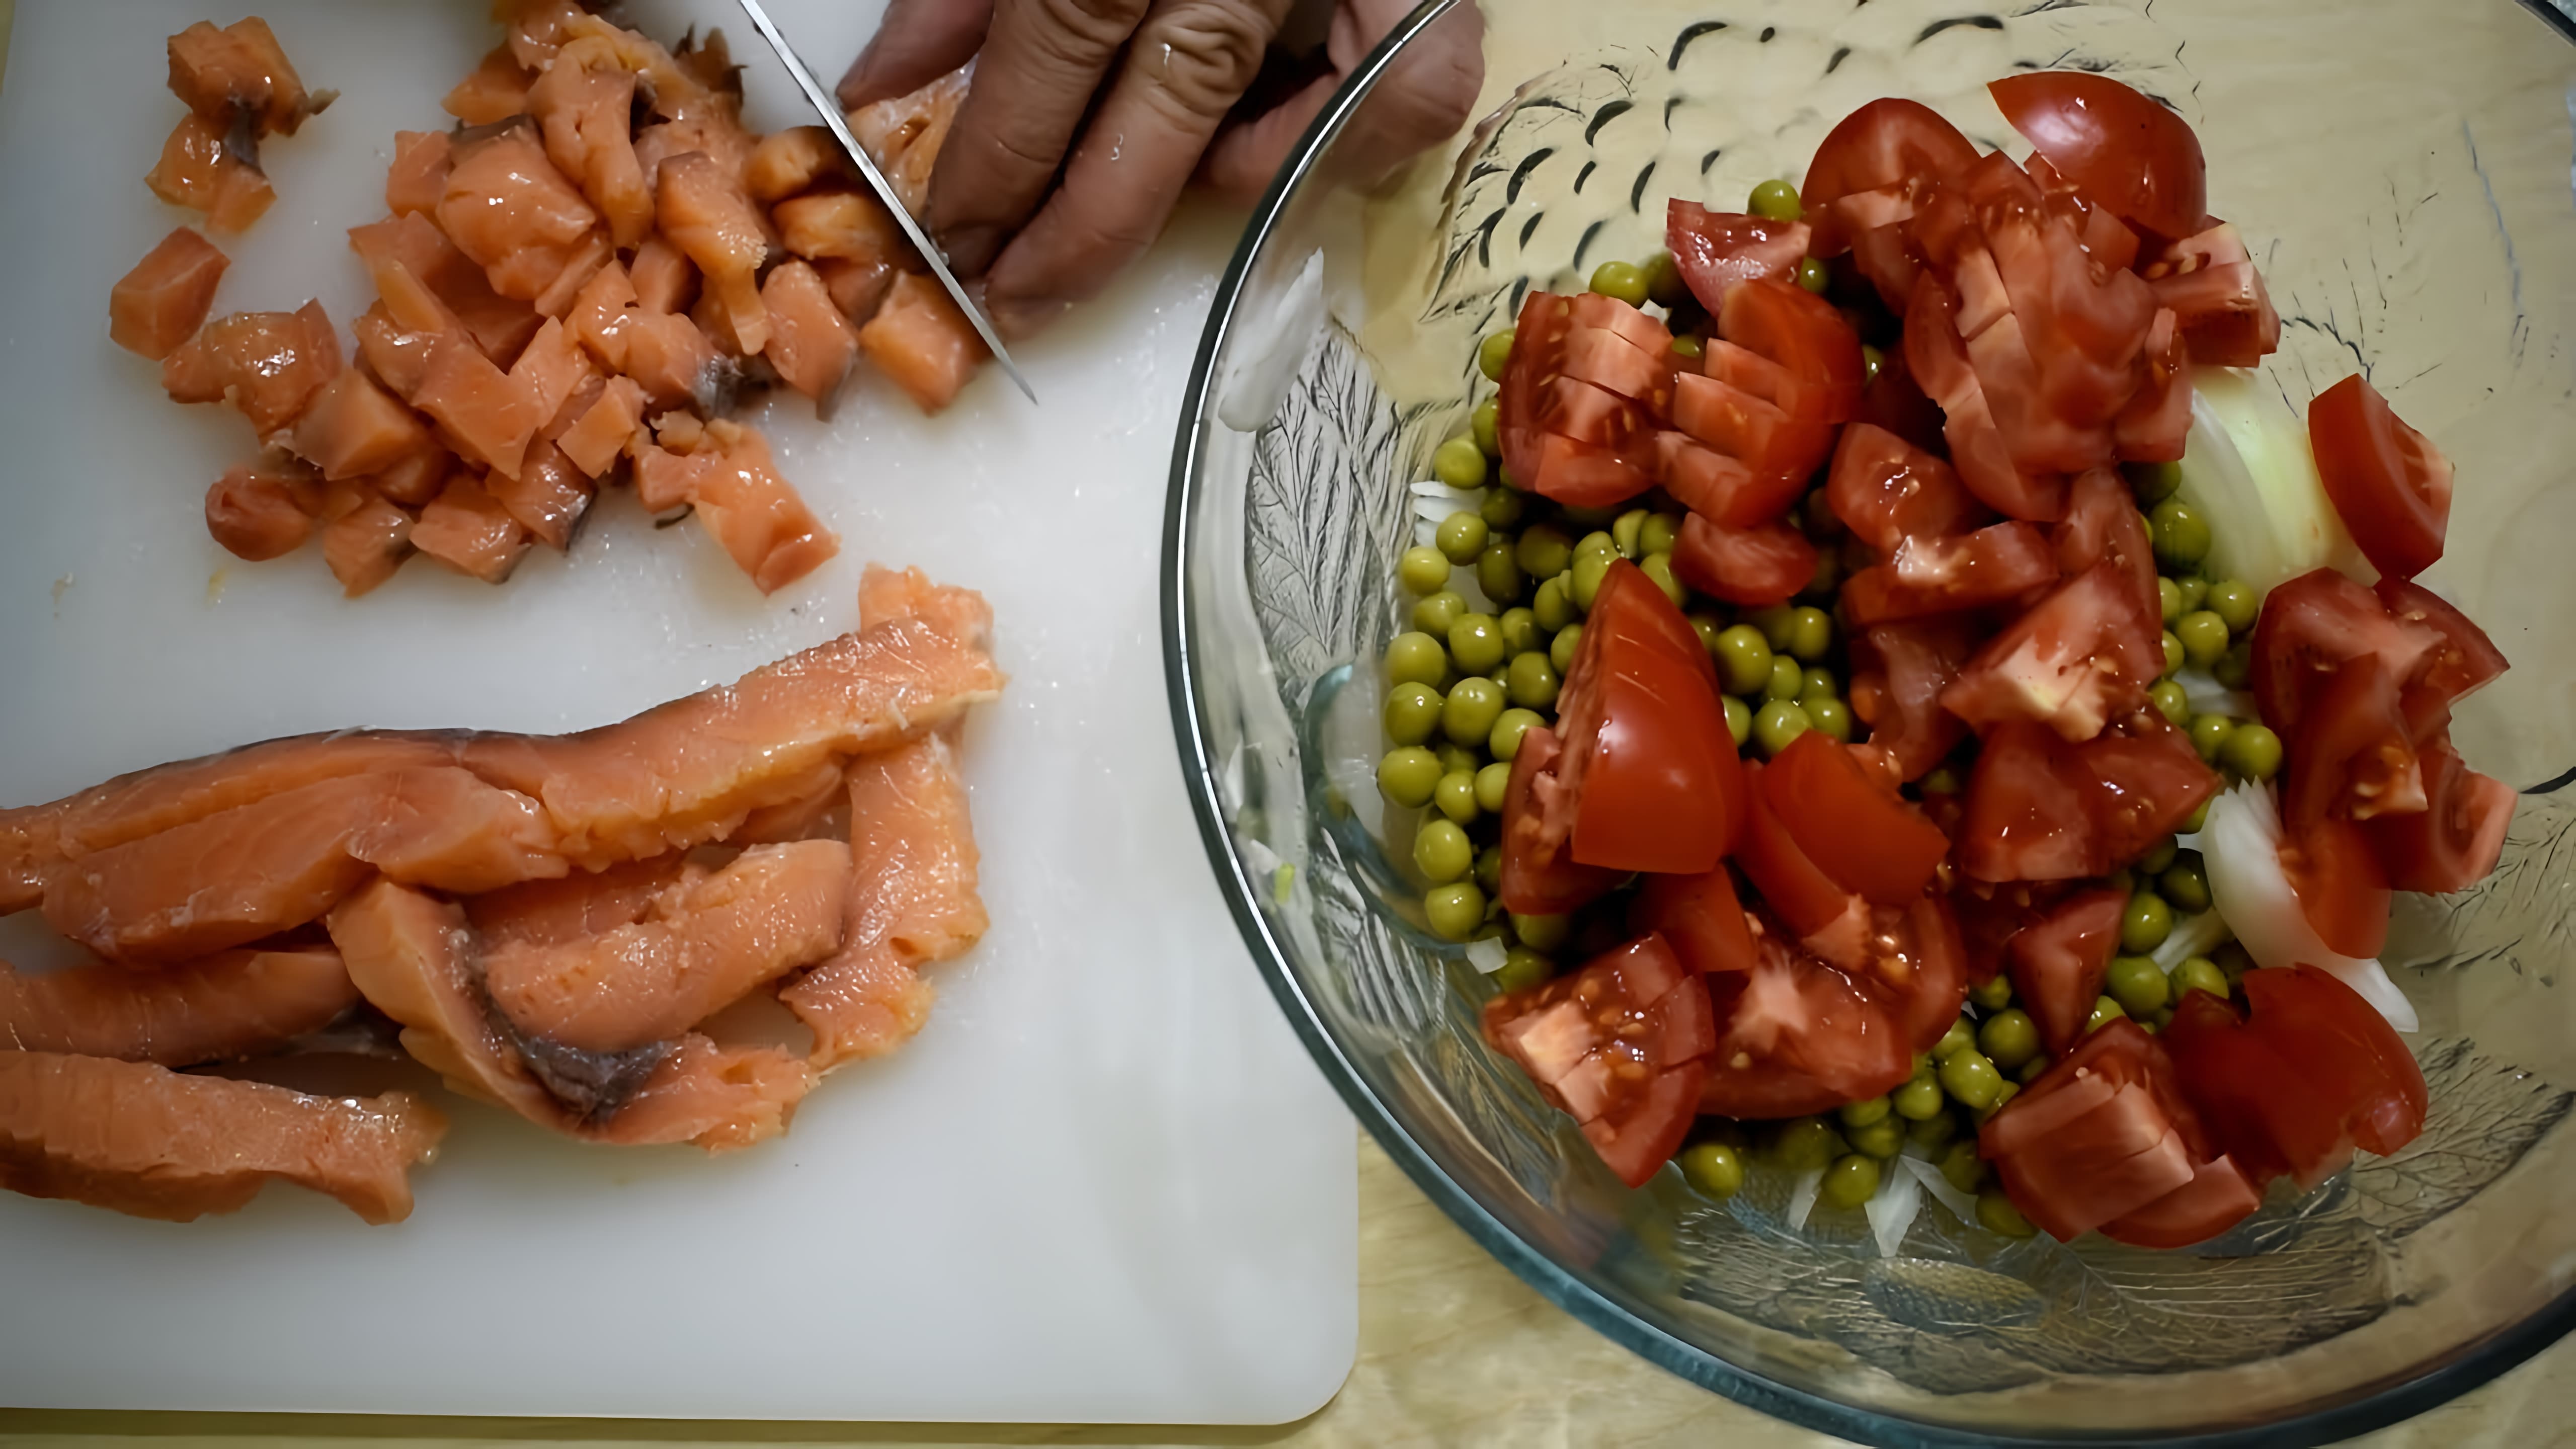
553,924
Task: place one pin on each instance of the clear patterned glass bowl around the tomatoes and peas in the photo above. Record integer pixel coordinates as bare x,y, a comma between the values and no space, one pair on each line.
2402,177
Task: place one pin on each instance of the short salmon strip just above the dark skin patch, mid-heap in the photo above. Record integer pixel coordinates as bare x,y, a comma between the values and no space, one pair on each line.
699,948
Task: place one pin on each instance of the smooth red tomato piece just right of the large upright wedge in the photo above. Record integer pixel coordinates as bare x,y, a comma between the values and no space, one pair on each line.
1859,831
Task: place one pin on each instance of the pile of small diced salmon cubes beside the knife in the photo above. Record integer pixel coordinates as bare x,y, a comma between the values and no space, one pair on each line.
576,287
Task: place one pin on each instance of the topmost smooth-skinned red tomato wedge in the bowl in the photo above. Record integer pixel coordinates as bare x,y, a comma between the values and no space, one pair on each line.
2119,148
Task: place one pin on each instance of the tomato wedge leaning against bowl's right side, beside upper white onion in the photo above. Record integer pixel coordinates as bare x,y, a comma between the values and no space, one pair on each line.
2387,481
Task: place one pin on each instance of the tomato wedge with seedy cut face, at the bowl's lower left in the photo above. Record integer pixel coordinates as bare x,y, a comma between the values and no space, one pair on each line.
1619,1045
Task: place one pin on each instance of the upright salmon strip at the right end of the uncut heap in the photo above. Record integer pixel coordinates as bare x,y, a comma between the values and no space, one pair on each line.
913,901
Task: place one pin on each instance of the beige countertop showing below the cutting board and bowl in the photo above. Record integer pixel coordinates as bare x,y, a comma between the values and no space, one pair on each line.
1454,1350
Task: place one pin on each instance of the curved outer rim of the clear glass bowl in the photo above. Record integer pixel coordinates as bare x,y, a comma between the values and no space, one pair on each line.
2430,1388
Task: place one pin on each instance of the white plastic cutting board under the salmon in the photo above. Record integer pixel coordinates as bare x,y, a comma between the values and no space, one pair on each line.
1104,1185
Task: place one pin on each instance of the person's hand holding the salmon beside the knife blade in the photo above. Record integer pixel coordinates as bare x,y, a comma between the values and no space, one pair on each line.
1088,117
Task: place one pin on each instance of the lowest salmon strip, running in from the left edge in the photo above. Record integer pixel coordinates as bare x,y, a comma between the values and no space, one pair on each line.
153,1143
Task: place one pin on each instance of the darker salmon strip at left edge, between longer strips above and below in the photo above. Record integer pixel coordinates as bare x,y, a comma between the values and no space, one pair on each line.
233,1004
